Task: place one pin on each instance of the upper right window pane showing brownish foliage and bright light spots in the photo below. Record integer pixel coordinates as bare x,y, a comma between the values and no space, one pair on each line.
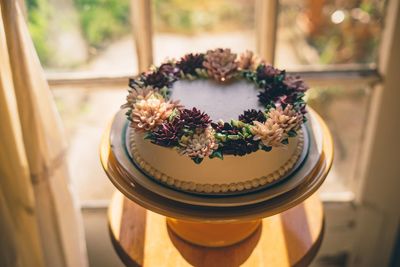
327,32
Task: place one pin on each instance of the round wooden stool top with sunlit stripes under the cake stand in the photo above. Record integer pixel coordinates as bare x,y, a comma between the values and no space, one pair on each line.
142,238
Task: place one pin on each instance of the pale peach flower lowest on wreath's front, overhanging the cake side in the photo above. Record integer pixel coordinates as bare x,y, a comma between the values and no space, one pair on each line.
199,145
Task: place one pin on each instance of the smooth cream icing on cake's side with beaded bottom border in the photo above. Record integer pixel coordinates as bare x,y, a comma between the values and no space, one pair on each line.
233,173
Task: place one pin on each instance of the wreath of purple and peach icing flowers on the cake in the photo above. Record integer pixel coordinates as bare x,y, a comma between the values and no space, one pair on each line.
191,132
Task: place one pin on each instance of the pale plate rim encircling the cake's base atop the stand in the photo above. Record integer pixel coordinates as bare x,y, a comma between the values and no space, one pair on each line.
254,197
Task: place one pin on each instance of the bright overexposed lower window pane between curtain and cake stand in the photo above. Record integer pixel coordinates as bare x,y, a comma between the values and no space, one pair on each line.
85,114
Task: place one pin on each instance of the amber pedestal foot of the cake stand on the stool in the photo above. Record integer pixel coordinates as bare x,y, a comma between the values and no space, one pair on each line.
213,234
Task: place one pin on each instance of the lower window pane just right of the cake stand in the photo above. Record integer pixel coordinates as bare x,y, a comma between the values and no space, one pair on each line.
345,110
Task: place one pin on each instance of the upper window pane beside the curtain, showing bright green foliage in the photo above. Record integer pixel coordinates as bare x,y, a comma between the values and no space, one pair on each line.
82,35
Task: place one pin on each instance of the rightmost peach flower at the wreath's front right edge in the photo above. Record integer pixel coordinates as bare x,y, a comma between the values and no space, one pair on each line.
288,119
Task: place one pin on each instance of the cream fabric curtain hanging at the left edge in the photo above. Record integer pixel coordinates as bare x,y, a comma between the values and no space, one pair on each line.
40,221
